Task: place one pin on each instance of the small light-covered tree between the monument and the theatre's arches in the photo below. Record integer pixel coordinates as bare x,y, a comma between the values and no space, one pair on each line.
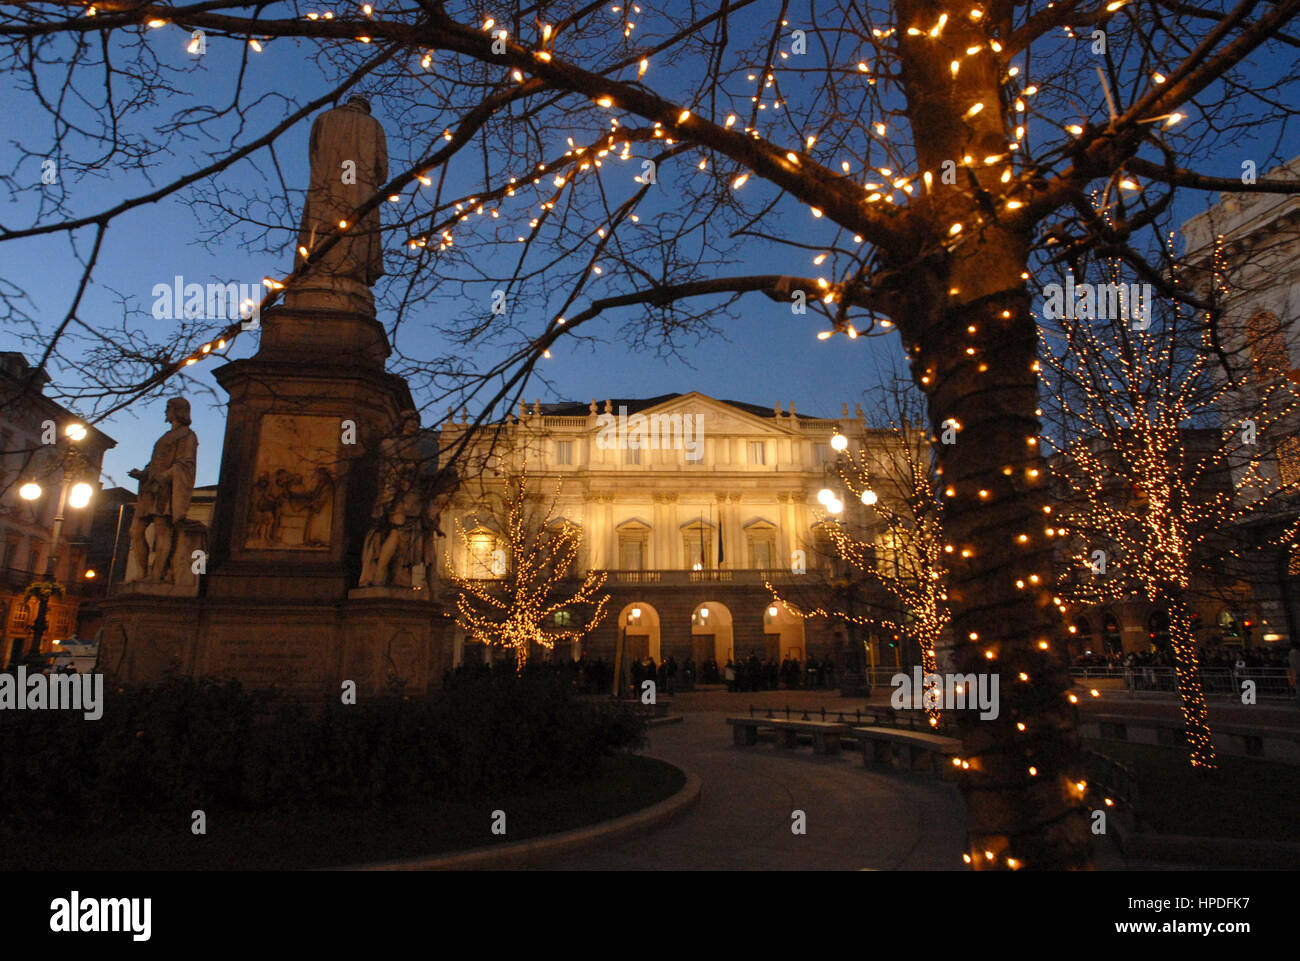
531,583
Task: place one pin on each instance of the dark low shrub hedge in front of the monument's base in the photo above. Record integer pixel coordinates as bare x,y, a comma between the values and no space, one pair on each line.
211,744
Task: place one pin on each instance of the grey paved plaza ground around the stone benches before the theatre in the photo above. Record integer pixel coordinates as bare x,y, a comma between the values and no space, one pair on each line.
857,819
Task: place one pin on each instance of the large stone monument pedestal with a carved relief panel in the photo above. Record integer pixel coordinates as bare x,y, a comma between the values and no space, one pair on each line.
278,607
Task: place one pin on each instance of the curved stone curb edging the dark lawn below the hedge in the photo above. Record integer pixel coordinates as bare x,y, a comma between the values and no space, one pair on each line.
551,847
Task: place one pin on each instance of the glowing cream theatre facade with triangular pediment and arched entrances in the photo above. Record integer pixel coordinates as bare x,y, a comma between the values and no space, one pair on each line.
691,505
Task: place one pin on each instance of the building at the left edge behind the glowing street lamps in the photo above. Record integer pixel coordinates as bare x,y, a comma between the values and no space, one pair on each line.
37,449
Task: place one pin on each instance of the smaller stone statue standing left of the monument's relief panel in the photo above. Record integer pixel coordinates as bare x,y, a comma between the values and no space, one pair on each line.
167,487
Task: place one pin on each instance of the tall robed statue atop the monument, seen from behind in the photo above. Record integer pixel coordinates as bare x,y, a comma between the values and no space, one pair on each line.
349,165
